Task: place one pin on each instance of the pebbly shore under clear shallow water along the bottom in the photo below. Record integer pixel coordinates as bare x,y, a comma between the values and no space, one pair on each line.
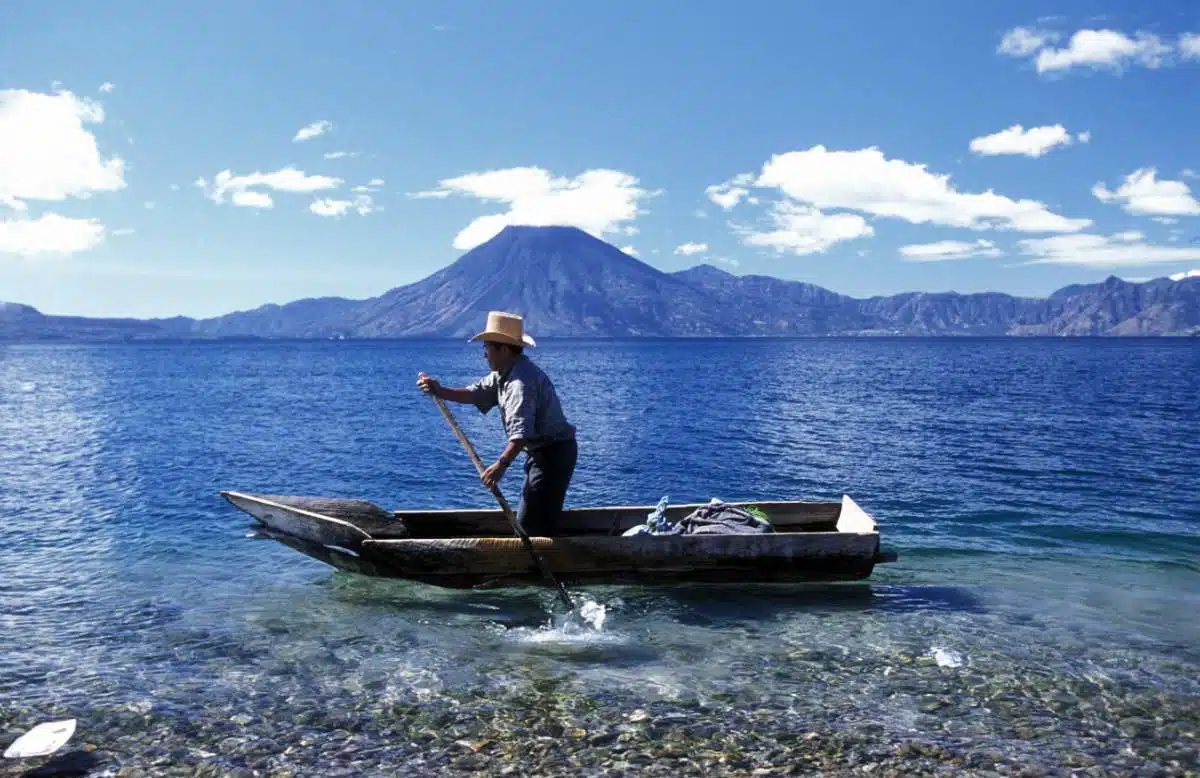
965,723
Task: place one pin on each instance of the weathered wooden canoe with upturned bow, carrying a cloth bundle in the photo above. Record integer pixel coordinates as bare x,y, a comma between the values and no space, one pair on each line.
476,548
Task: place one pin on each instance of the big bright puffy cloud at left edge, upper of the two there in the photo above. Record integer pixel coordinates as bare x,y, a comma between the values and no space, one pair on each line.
47,153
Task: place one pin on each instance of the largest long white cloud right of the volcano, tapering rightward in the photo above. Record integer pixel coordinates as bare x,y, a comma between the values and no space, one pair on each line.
866,182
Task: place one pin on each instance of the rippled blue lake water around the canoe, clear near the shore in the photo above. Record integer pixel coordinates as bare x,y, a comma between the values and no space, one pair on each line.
1043,498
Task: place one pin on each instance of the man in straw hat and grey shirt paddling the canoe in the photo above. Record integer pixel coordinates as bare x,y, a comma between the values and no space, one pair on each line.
532,417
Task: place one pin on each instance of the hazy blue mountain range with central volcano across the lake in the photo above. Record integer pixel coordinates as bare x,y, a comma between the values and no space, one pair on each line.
568,284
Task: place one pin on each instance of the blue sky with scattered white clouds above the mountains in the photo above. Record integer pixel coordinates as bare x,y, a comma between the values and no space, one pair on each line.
153,163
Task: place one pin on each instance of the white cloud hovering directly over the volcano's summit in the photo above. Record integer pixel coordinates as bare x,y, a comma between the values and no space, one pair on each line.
598,202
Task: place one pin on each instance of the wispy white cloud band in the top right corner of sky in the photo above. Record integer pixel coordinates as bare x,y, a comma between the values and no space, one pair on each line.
1097,50
